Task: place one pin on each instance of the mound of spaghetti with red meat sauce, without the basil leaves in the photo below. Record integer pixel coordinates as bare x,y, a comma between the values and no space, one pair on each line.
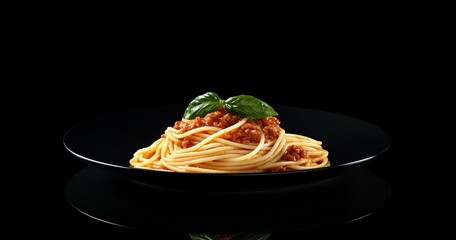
221,142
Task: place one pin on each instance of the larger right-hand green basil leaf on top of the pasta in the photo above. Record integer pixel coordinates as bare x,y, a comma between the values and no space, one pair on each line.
249,107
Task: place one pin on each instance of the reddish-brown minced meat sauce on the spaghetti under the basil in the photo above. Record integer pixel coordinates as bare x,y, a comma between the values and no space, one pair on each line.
247,133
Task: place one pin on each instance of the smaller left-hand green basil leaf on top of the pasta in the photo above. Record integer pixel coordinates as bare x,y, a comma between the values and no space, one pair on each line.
202,105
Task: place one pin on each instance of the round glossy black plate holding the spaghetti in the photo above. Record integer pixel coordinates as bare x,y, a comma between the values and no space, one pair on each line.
109,142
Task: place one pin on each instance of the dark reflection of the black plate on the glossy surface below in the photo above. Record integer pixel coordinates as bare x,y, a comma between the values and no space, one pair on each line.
115,200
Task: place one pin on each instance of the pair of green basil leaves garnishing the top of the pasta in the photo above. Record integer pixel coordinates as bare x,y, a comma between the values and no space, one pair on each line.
242,105
